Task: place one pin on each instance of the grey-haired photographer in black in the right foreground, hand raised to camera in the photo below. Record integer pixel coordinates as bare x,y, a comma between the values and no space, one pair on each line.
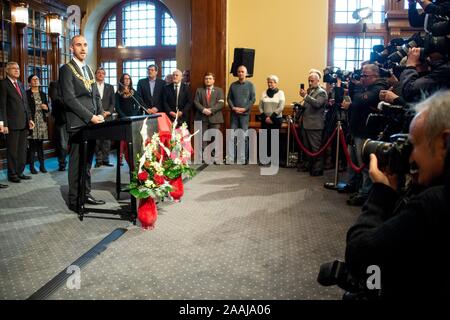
407,238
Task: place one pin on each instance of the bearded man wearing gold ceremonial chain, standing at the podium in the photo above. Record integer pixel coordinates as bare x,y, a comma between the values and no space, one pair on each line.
83,106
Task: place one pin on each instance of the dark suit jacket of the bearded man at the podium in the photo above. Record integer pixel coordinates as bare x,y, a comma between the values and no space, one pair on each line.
80,103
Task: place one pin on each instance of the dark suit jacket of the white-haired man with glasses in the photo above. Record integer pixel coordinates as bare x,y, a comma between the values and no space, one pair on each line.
184,100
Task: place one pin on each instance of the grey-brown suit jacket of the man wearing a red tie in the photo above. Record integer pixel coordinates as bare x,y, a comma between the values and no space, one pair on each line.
216,103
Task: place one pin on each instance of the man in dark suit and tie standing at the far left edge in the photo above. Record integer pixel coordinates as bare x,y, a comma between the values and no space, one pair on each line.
15,116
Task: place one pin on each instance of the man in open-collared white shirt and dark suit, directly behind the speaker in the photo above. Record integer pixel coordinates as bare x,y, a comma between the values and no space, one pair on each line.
108,99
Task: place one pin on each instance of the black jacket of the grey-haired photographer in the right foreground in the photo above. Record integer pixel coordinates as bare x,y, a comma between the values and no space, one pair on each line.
408,240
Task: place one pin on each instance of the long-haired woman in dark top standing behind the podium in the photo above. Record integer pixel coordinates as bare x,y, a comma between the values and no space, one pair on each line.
127,105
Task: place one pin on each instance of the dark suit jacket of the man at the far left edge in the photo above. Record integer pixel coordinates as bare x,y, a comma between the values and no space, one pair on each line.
14,110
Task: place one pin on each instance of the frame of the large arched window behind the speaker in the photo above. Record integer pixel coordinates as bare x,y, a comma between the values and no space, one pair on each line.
158,52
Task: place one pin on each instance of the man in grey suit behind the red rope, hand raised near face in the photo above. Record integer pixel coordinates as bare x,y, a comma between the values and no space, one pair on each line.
314,102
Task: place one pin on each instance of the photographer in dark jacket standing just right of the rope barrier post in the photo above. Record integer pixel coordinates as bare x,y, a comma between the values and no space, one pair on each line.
365,101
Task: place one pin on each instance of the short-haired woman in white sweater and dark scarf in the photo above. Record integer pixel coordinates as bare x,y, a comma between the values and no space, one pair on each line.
271,106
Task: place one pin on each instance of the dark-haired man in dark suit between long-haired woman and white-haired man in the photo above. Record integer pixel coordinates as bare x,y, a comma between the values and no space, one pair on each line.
151,90
